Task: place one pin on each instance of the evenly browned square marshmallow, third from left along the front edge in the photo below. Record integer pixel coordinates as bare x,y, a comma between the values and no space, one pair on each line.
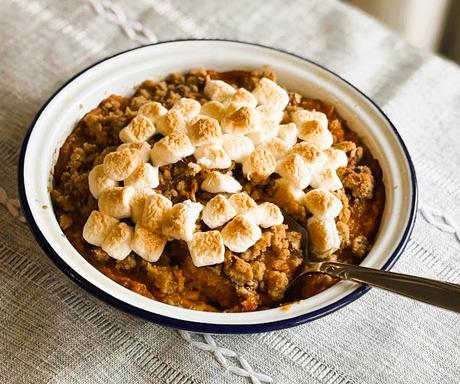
147,244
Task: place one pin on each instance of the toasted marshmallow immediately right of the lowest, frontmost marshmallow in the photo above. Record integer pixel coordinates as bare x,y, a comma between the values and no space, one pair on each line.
240,234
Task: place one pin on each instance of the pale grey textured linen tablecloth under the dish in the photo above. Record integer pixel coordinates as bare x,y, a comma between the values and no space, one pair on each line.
53,331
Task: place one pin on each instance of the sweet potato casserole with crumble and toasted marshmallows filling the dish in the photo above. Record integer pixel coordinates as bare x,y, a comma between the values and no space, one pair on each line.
175,192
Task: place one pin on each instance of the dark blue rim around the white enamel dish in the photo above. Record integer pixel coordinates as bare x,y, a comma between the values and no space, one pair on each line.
197,326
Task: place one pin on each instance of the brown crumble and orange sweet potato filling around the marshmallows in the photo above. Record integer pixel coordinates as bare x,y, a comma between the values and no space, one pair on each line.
253,280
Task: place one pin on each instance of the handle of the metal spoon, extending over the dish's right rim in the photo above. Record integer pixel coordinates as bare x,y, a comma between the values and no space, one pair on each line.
441,294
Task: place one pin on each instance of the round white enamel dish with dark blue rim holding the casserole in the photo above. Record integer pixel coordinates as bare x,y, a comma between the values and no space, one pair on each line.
117,75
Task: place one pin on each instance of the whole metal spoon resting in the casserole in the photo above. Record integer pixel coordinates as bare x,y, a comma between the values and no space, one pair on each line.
438,293
